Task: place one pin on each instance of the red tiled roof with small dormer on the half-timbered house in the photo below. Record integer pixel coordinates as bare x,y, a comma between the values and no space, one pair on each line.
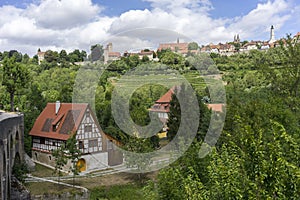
60,125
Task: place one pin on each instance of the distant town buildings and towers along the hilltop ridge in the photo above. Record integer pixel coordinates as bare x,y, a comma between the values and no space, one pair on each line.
185,48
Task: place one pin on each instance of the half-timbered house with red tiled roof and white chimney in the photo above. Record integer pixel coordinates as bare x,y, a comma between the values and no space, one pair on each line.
58,122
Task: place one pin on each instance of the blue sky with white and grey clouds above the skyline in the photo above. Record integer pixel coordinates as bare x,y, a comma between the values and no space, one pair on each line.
26,25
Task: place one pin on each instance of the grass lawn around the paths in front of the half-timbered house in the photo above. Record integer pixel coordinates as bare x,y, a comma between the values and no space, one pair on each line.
113,186
